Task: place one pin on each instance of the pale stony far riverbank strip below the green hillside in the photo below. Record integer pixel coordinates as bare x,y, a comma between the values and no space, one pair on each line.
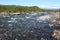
17,13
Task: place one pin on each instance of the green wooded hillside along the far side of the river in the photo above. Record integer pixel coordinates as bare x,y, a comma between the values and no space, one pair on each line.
14,8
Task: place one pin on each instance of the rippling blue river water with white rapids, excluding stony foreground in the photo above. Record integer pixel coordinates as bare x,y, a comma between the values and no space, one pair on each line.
29,23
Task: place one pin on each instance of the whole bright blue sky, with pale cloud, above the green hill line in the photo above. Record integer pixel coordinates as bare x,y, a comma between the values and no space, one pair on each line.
49,4
